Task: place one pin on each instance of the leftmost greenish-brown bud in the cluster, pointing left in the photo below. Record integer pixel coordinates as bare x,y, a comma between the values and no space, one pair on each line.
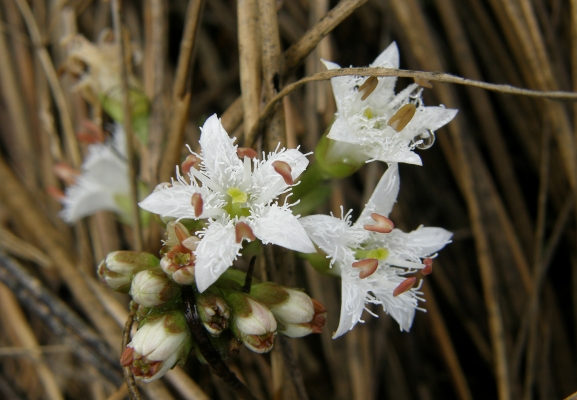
119,267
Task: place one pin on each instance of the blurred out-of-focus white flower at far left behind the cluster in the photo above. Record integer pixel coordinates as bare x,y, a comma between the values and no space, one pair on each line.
103,182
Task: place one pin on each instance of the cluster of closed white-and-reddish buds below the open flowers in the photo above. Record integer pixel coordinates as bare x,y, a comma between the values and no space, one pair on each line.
230,315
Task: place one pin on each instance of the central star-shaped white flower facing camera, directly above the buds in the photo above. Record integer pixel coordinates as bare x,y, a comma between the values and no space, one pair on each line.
238,201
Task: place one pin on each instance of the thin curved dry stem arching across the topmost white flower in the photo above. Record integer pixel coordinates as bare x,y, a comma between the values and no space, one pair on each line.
402,73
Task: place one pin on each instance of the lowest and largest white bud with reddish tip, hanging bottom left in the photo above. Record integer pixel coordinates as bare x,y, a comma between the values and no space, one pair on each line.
161,342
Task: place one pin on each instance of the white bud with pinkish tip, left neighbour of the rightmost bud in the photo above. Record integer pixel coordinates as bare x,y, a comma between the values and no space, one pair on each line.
253,323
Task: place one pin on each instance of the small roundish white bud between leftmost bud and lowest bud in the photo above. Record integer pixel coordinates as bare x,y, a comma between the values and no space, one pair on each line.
152,288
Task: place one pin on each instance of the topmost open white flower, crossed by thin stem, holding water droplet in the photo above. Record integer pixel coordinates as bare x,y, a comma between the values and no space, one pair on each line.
371,123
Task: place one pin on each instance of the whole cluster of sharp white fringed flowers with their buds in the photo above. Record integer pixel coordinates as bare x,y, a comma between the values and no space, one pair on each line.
225,202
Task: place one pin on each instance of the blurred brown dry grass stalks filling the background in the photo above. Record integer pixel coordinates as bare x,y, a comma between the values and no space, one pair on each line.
501,317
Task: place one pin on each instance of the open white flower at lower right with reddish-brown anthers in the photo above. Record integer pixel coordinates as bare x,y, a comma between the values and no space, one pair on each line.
389,256
